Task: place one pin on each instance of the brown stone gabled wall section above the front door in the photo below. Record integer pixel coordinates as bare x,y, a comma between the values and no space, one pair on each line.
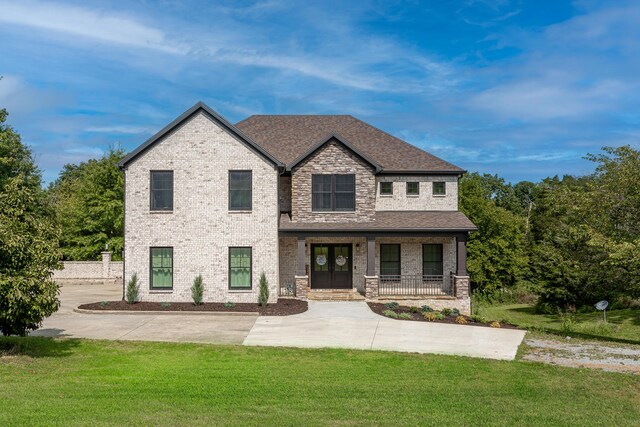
333,158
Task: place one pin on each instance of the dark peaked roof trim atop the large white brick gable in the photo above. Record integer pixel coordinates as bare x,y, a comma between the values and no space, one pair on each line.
186,116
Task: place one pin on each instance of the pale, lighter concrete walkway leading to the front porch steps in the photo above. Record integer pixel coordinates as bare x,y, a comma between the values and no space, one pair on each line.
354,325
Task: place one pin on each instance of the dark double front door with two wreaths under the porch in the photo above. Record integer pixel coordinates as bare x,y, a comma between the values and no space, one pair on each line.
331,266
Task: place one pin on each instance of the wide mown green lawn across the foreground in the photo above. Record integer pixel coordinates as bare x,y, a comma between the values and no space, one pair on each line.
83,382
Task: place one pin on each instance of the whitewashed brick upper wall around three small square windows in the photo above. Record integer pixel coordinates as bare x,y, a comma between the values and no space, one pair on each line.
425,201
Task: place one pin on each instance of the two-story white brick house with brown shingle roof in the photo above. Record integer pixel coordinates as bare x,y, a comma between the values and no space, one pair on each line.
321,204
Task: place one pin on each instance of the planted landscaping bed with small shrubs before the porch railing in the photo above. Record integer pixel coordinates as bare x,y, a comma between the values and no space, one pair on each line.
426,314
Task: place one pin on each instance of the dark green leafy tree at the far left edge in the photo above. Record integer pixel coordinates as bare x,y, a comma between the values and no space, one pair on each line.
28,240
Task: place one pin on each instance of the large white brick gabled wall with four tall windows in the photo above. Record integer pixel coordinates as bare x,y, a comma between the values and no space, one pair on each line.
201,228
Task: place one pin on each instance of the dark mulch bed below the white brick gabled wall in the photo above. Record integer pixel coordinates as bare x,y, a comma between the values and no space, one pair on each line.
284,307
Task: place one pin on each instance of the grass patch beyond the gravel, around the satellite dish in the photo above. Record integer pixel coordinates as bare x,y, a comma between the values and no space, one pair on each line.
622,325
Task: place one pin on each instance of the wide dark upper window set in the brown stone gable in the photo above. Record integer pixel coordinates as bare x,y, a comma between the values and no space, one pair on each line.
333,192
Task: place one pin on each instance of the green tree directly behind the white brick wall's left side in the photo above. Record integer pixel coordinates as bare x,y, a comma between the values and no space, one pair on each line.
89,205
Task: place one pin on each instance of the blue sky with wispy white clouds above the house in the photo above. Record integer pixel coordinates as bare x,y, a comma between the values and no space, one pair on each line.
523,89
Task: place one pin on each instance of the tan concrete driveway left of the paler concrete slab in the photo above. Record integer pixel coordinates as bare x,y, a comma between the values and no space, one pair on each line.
203,328
